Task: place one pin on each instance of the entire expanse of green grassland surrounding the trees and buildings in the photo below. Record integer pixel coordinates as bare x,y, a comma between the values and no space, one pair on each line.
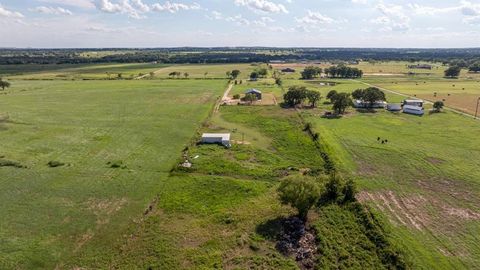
120,201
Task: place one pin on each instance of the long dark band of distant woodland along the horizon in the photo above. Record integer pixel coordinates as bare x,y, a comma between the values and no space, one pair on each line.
458,57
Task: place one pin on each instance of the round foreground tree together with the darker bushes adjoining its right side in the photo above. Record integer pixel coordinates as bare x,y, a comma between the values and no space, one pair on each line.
303,193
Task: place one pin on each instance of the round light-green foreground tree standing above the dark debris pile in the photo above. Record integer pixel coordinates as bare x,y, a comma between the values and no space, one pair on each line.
301,193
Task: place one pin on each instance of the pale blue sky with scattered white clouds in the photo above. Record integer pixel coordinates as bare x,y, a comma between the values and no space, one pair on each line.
217,23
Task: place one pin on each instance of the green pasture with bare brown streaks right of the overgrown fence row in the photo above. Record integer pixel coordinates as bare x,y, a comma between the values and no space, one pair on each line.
429,165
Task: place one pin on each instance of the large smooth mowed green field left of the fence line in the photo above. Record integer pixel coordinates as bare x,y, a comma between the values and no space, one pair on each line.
53,216
